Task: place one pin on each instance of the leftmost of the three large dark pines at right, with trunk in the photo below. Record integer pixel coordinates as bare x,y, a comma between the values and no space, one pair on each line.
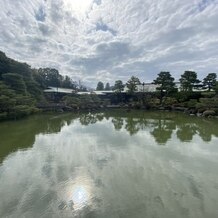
166,84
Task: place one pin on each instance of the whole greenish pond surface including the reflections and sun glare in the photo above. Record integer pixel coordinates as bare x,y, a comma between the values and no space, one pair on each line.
113,164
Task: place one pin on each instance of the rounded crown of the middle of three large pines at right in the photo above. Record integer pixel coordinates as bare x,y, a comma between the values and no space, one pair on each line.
188,80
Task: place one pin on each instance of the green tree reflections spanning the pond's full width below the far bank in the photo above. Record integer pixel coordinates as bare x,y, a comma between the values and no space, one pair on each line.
161,125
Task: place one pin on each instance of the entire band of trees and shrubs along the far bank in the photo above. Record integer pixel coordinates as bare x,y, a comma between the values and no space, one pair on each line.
21,89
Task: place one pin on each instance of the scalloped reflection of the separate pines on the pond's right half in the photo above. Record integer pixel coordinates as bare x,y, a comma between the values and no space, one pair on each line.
161,125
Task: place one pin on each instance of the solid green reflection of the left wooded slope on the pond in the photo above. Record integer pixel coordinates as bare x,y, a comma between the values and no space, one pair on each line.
21,134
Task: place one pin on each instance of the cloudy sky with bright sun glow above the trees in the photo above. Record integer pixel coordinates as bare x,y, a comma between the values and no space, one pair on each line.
108,40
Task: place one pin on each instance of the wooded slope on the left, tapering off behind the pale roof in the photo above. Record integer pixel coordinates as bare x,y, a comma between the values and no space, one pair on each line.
21,87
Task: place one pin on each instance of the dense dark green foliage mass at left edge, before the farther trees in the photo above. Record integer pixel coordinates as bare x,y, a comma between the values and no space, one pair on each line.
18,89
